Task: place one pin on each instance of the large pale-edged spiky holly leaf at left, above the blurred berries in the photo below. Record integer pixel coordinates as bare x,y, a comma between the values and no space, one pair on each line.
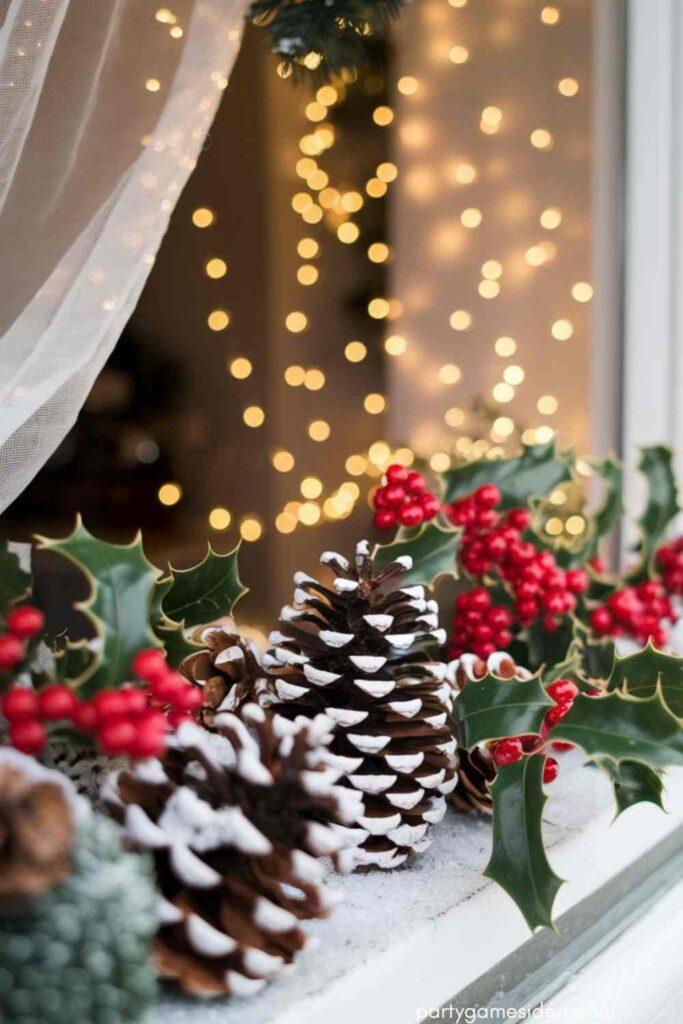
121,584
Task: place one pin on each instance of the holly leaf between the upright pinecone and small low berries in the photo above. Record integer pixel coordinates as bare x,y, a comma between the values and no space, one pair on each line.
494,708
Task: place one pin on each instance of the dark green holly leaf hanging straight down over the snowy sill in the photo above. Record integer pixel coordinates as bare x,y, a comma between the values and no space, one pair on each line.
519,861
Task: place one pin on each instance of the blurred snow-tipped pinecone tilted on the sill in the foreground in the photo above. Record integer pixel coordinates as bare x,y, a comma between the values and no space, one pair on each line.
236,821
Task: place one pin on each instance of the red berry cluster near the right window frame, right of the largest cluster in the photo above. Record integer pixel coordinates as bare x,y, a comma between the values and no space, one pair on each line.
638,612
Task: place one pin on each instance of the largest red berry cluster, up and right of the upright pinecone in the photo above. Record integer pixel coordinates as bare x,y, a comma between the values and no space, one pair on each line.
493,542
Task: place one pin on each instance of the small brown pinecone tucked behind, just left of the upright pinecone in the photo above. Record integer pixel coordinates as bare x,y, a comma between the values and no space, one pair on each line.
227,671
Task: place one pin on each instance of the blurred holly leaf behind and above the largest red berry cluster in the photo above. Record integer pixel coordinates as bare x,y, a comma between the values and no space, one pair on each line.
521,479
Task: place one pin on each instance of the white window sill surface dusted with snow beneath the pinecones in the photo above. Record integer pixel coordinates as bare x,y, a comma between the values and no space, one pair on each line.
417,936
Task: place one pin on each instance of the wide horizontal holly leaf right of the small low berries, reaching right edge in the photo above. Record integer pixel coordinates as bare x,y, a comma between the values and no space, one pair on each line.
623,728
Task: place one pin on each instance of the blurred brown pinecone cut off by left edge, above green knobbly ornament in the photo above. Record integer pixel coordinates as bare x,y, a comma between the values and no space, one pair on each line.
36,828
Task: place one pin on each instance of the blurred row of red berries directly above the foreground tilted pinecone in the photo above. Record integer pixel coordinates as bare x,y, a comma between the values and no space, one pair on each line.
133,720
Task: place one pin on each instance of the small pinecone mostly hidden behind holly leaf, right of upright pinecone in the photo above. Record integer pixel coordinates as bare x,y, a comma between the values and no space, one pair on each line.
477,767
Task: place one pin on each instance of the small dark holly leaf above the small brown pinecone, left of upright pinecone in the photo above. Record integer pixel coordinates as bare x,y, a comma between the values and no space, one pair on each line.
205,592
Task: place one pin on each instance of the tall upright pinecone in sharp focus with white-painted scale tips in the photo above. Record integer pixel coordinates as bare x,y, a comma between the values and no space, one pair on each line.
366,653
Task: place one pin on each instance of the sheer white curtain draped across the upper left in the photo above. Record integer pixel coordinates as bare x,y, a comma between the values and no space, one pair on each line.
105,106
